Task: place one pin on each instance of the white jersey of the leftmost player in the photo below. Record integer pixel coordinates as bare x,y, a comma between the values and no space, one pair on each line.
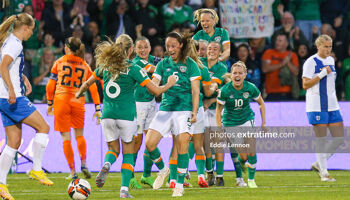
12,46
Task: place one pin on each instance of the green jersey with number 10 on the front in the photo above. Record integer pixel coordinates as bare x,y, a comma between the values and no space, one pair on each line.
237,107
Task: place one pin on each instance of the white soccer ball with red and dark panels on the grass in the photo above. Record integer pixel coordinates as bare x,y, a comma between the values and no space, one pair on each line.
79,189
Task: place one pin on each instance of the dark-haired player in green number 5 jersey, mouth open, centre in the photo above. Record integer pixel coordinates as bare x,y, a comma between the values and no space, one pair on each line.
178,108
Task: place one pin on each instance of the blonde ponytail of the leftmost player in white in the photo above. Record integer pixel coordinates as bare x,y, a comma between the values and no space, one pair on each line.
14,22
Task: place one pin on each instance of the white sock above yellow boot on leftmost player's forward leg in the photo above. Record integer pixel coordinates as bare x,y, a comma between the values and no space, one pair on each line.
39,145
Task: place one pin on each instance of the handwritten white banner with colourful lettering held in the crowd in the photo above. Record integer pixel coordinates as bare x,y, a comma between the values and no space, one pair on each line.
247,18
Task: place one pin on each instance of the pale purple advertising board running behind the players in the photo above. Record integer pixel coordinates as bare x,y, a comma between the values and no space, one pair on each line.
288,114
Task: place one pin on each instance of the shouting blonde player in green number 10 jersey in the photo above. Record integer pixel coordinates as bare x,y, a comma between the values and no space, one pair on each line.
235,97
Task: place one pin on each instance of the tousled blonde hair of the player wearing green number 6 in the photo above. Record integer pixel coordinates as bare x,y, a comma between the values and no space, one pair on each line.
112,57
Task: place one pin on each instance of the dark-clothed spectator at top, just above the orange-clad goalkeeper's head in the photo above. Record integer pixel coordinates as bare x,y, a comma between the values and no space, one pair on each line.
58,16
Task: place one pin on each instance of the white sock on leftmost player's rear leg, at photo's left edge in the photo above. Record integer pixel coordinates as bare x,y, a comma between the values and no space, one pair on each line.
6,159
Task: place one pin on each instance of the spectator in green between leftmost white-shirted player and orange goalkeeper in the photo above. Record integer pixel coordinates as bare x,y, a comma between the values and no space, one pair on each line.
41,74
